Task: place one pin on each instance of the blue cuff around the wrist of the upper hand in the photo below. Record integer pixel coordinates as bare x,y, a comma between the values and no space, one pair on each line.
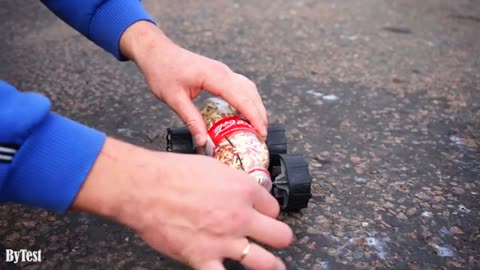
111,20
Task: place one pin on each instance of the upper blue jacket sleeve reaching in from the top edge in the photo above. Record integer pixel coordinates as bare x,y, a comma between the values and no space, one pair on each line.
101,21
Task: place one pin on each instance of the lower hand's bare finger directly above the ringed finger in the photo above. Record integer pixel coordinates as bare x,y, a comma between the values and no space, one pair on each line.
269,231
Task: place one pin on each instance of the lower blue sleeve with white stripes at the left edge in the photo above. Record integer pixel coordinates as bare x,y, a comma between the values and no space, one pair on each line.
44,158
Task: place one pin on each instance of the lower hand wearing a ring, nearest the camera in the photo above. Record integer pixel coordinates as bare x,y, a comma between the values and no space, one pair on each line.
191,208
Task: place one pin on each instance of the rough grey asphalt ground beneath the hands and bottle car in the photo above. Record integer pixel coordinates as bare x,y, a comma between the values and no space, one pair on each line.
381,97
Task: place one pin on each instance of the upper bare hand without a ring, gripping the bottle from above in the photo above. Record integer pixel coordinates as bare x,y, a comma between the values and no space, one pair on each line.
177,76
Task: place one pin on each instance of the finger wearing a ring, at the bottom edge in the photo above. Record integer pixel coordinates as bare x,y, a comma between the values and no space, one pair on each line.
257,257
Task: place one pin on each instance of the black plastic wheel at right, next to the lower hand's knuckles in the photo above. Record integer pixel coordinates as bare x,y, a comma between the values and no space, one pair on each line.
291,181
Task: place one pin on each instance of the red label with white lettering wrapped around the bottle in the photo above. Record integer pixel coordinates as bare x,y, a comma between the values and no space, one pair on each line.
226,126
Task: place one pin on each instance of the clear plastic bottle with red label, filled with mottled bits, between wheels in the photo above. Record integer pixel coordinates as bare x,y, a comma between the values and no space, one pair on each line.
234,141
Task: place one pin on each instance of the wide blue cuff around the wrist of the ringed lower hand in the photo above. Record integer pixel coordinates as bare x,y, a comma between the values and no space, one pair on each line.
52,164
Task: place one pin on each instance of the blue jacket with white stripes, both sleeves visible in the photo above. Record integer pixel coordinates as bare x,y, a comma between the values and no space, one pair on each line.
44,157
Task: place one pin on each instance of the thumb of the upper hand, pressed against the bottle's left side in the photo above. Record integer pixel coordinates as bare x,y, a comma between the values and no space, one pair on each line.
190,115
